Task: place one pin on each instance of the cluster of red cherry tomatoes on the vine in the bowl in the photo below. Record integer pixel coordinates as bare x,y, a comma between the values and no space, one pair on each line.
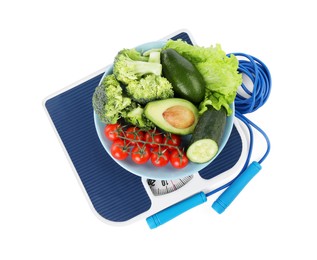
142,146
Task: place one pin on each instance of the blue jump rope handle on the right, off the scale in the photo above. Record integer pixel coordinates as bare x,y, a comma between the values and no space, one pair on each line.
236,187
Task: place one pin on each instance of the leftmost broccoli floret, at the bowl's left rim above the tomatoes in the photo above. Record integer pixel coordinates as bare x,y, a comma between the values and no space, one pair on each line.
108,100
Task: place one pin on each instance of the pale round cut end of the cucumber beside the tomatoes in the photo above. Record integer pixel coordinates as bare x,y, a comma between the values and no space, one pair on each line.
202,151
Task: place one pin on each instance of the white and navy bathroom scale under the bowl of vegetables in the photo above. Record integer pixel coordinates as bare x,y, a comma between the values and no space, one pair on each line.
117,196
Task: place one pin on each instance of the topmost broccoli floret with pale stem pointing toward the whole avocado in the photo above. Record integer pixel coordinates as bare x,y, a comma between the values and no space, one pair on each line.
130,65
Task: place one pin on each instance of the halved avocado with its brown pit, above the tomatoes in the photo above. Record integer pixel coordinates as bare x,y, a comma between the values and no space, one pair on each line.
174,115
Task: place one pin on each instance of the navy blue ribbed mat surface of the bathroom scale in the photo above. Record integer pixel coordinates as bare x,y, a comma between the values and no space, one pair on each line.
116,194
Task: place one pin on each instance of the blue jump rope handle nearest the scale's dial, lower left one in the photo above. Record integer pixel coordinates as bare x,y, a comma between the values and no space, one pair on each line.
173,211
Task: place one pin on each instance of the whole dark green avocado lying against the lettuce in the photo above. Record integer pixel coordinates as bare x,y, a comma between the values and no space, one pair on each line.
186,80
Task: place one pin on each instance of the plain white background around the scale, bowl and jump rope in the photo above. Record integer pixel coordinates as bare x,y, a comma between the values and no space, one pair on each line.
47,45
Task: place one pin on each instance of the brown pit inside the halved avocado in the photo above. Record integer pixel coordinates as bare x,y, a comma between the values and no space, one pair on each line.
179,116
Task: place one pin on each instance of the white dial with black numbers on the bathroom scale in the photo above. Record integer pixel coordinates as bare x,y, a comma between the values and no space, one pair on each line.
162,187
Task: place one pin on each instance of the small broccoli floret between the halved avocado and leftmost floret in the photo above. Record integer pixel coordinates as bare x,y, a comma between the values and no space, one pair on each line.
136,117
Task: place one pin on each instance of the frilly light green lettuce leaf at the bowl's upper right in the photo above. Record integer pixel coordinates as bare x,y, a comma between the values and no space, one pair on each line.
219,71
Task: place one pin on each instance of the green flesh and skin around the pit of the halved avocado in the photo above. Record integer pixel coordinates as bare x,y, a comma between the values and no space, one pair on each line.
154,112
